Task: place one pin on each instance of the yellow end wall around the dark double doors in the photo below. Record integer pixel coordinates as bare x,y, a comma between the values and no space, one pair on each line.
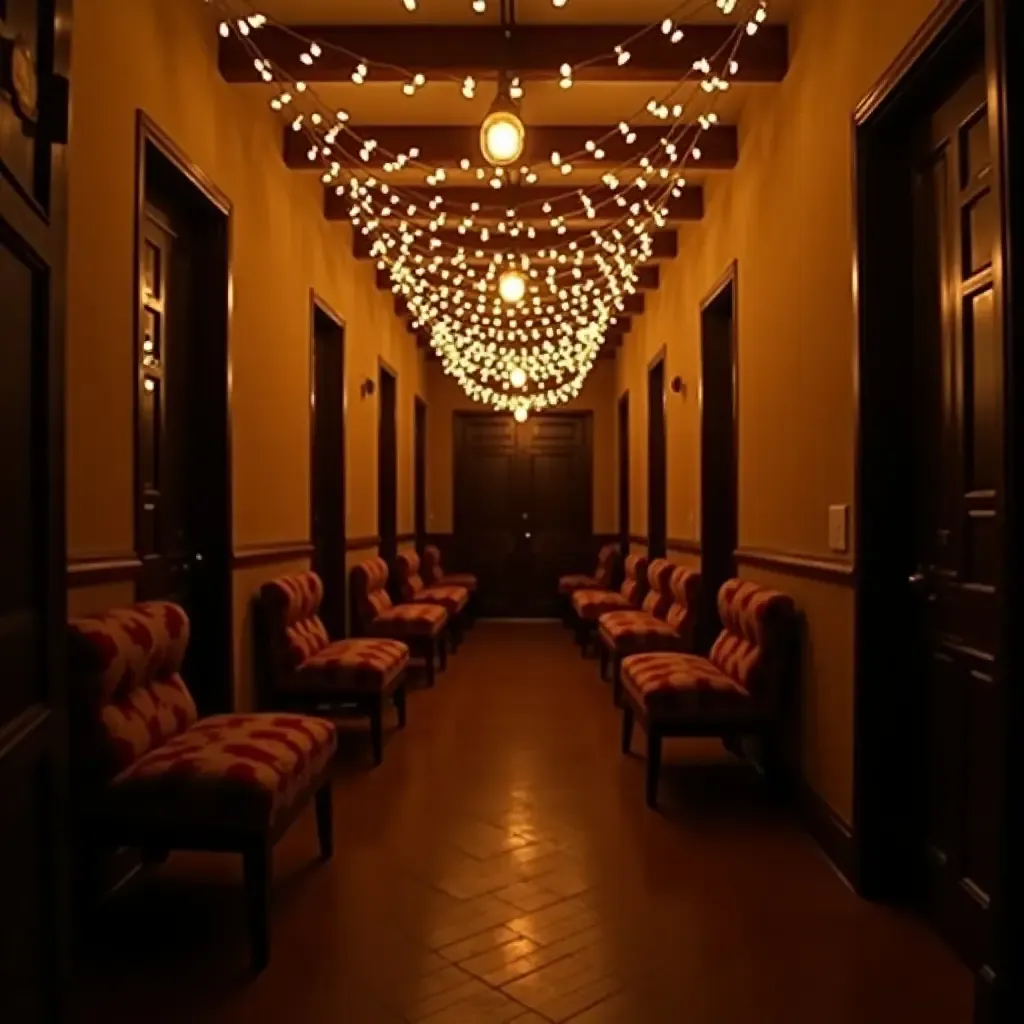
445,398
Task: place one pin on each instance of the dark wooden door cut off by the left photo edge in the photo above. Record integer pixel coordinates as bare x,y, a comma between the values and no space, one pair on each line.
34,46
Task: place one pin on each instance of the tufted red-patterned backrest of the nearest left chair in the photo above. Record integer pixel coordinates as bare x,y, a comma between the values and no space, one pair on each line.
126,696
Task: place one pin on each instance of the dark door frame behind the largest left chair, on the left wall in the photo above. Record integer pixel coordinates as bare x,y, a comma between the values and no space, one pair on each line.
148,133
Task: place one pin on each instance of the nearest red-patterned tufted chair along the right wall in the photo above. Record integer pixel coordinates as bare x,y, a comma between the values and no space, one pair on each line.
734,693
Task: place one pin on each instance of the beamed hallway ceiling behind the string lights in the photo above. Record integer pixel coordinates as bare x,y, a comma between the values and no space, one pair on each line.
444,125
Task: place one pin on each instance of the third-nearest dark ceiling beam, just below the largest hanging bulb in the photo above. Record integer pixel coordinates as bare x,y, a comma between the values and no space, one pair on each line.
530,200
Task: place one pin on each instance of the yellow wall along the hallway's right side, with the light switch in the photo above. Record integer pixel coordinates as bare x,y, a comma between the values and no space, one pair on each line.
786,215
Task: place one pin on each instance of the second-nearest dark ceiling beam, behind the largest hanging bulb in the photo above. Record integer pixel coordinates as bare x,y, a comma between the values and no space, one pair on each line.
447,146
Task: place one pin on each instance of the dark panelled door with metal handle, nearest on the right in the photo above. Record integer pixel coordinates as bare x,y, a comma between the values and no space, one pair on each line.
959,435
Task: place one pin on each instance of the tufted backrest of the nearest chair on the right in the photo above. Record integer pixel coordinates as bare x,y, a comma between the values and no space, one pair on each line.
758,631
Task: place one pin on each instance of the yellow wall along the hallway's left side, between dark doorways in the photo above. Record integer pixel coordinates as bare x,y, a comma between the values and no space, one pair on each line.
161,58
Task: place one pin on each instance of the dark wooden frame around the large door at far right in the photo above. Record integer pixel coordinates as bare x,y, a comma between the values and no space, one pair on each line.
882,836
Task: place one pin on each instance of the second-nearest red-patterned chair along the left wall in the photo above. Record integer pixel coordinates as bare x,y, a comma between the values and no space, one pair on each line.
304,667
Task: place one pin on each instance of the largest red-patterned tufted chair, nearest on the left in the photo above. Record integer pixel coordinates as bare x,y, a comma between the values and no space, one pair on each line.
151,775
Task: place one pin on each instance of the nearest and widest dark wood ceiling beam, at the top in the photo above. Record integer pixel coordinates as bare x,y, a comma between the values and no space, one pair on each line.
534,52
